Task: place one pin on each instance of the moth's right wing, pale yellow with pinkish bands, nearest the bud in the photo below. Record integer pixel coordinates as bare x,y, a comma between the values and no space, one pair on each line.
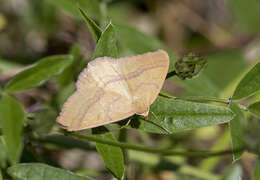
145,75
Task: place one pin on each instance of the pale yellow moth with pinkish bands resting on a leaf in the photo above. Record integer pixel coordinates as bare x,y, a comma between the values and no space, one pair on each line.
109,90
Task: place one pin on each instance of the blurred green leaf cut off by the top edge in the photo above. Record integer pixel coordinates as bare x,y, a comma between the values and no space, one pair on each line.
71,6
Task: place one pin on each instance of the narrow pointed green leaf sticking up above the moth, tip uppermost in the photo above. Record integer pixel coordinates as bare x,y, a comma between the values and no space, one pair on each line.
93,27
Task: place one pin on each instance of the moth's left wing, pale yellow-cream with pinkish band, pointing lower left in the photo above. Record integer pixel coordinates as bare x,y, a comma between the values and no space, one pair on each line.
102,97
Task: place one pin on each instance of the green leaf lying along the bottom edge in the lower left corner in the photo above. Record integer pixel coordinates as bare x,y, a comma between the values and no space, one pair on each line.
33,171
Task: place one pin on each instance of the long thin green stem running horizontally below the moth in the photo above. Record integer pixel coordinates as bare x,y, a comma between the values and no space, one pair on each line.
164,152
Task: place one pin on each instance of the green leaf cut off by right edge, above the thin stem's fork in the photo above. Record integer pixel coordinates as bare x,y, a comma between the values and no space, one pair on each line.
249,84
